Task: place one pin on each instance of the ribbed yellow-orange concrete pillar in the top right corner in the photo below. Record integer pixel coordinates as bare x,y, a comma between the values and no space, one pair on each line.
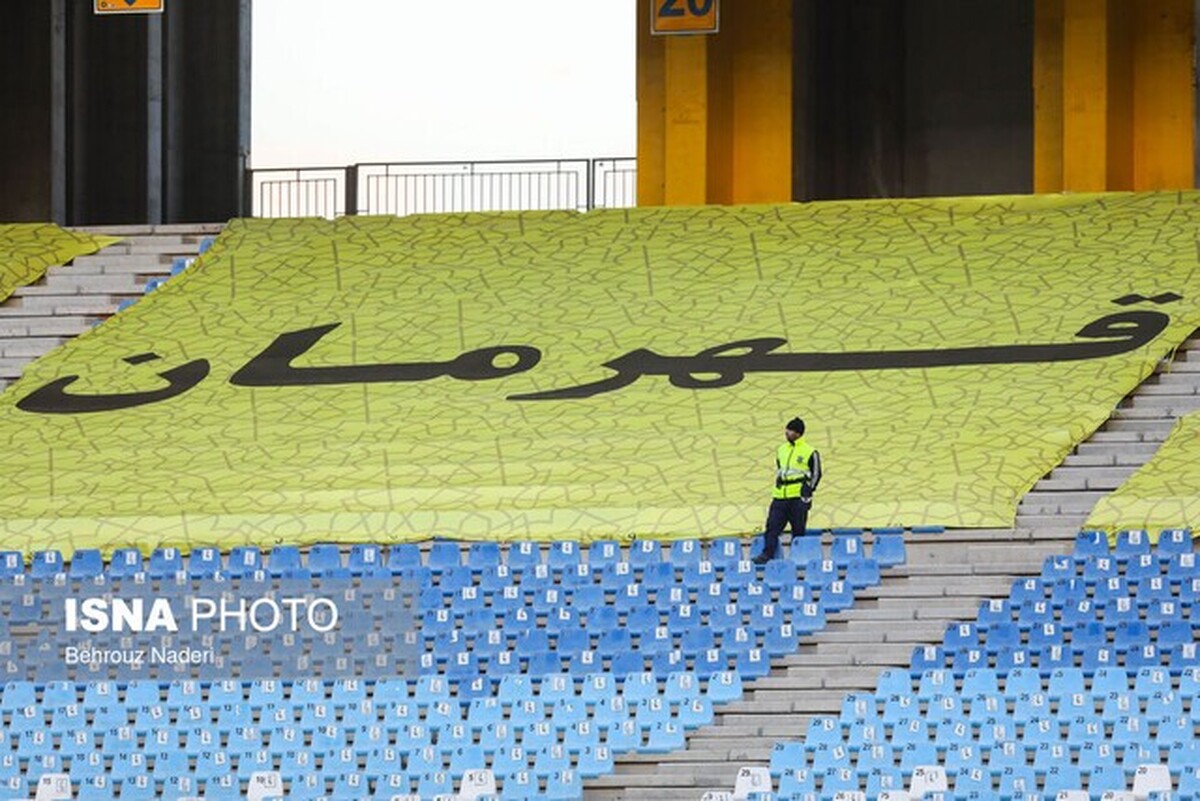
1113,95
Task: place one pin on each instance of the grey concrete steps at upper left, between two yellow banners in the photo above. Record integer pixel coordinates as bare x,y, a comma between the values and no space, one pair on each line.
71,299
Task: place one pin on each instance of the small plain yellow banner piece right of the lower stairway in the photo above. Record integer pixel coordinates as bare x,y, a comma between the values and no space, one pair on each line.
1165,493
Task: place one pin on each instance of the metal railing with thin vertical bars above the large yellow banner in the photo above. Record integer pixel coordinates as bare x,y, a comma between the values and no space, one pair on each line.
442,188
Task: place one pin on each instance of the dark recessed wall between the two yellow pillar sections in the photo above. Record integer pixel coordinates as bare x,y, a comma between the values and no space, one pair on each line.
914,98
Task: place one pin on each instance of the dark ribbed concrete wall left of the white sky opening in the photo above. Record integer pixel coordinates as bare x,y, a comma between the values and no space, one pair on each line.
152,113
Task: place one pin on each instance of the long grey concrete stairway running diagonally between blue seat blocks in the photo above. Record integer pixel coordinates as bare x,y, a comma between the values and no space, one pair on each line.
946,580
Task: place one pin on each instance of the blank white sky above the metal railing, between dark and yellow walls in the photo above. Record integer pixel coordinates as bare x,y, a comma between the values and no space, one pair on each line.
339,82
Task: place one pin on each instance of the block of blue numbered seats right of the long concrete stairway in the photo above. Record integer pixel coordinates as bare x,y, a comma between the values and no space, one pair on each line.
1071,682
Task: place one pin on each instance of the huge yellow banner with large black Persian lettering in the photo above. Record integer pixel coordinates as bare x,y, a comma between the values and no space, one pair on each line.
553,375
